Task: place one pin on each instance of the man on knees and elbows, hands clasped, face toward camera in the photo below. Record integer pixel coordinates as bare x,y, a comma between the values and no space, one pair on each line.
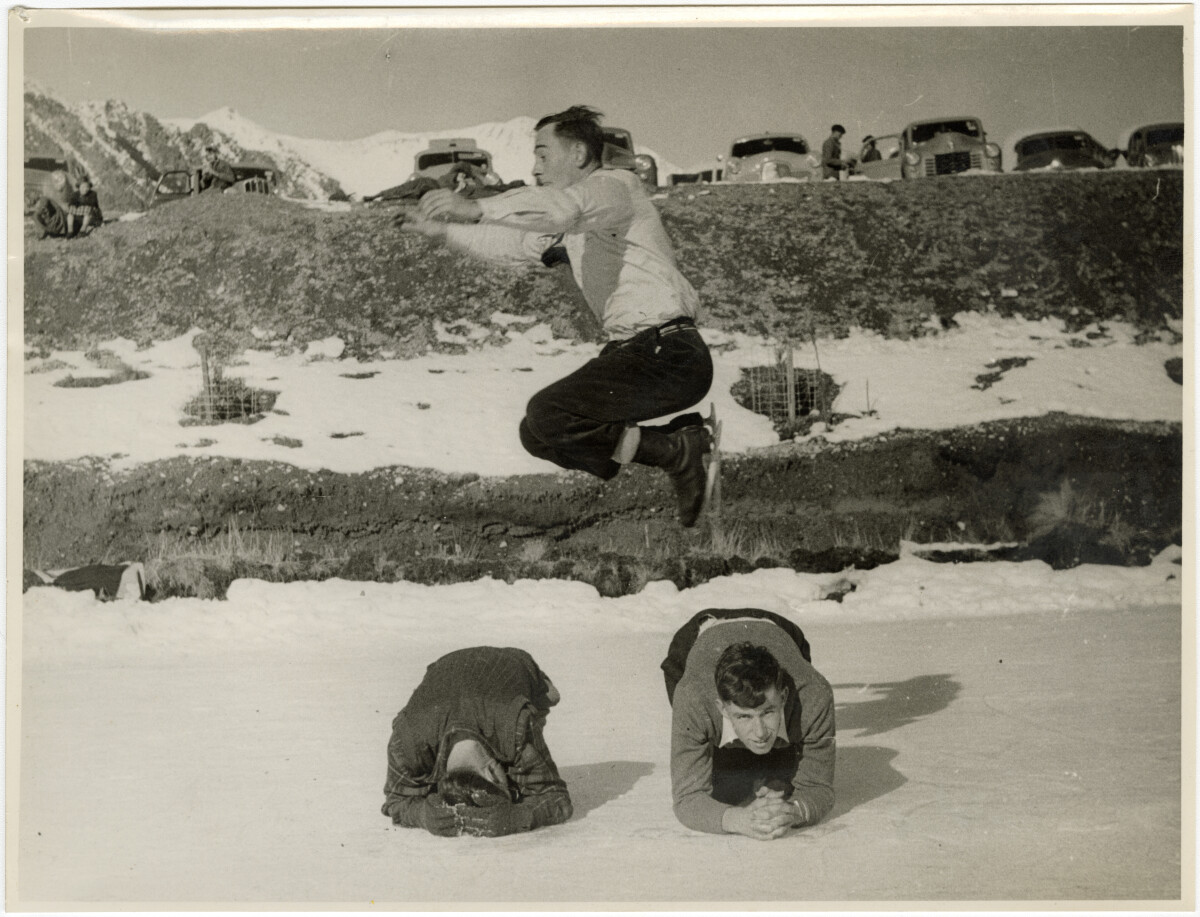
752,726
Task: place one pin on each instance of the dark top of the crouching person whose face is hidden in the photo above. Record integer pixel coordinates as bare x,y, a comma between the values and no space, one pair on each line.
499,697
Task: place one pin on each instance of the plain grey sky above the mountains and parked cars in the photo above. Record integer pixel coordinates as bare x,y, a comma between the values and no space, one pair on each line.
683,92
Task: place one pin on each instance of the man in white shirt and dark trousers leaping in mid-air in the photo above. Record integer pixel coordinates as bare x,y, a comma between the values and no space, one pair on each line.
656,362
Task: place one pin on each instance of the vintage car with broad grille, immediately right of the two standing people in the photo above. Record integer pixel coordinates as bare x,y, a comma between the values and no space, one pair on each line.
940,147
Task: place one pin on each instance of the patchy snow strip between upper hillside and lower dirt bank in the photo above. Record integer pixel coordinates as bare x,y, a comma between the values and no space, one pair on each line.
460,413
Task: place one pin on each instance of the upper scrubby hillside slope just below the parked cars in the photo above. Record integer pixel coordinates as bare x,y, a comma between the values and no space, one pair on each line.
781,260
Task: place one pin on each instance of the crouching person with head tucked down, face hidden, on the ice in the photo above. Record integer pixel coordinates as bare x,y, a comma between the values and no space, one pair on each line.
467,754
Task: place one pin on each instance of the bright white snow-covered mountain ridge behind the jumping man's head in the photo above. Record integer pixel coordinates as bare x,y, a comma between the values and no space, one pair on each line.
370,165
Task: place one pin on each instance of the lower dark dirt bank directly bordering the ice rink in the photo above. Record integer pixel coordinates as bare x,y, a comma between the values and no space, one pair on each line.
1059,489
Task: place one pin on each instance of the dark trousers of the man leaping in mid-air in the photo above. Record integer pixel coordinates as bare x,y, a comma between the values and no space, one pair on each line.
577,422
